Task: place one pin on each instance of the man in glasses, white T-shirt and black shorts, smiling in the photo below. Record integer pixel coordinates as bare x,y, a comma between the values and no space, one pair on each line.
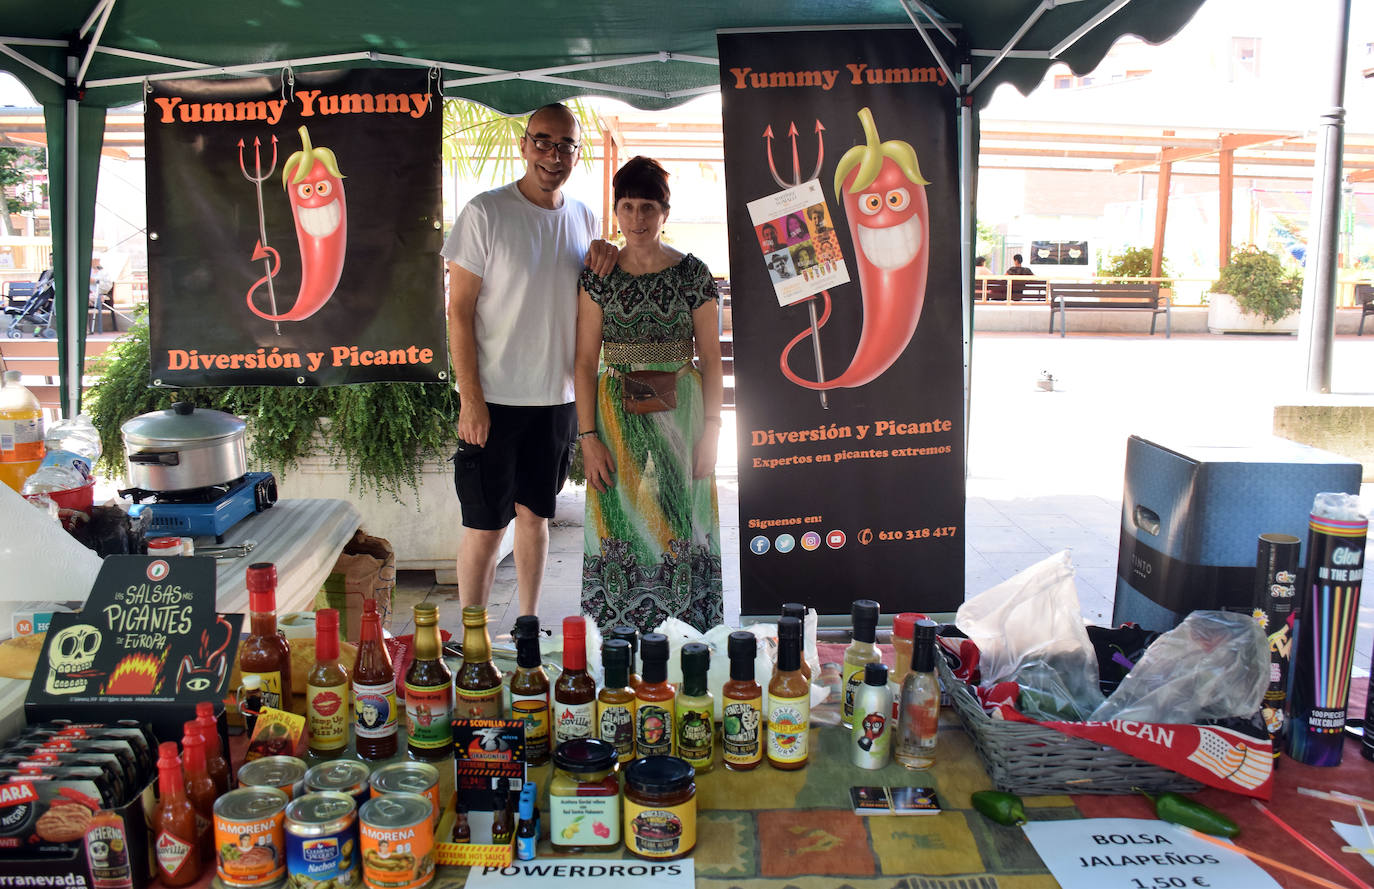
513,259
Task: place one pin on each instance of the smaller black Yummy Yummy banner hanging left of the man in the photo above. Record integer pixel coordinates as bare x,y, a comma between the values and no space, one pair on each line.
295,230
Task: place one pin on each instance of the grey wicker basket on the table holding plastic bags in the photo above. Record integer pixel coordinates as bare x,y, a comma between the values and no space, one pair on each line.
1033,761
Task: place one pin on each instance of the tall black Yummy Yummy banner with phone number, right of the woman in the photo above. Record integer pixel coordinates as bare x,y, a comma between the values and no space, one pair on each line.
842,177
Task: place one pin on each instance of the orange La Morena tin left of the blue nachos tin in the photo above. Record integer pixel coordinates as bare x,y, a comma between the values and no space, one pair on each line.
249,839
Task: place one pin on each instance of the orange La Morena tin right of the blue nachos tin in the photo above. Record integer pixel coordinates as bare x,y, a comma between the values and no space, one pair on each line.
398,842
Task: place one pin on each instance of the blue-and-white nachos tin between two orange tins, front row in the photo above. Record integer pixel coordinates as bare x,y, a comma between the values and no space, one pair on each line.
322,842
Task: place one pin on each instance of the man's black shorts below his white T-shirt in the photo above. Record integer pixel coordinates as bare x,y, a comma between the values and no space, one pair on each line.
526,461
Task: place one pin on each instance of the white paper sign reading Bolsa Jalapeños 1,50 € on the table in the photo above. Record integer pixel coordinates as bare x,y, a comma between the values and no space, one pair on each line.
1136,854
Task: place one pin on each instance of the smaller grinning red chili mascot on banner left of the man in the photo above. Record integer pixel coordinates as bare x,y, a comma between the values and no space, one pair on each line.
315,188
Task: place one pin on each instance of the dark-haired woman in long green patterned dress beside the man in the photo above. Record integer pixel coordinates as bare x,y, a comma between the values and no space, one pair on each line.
652,531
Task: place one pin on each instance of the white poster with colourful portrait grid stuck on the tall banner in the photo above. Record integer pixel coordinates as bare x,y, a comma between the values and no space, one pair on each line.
798,240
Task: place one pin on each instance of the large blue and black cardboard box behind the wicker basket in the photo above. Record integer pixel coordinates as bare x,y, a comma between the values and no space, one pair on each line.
1192,519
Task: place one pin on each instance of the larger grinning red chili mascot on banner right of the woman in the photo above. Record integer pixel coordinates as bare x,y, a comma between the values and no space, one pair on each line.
884,196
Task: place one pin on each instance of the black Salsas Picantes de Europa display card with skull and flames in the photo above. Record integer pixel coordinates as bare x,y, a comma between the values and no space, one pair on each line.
148,633
